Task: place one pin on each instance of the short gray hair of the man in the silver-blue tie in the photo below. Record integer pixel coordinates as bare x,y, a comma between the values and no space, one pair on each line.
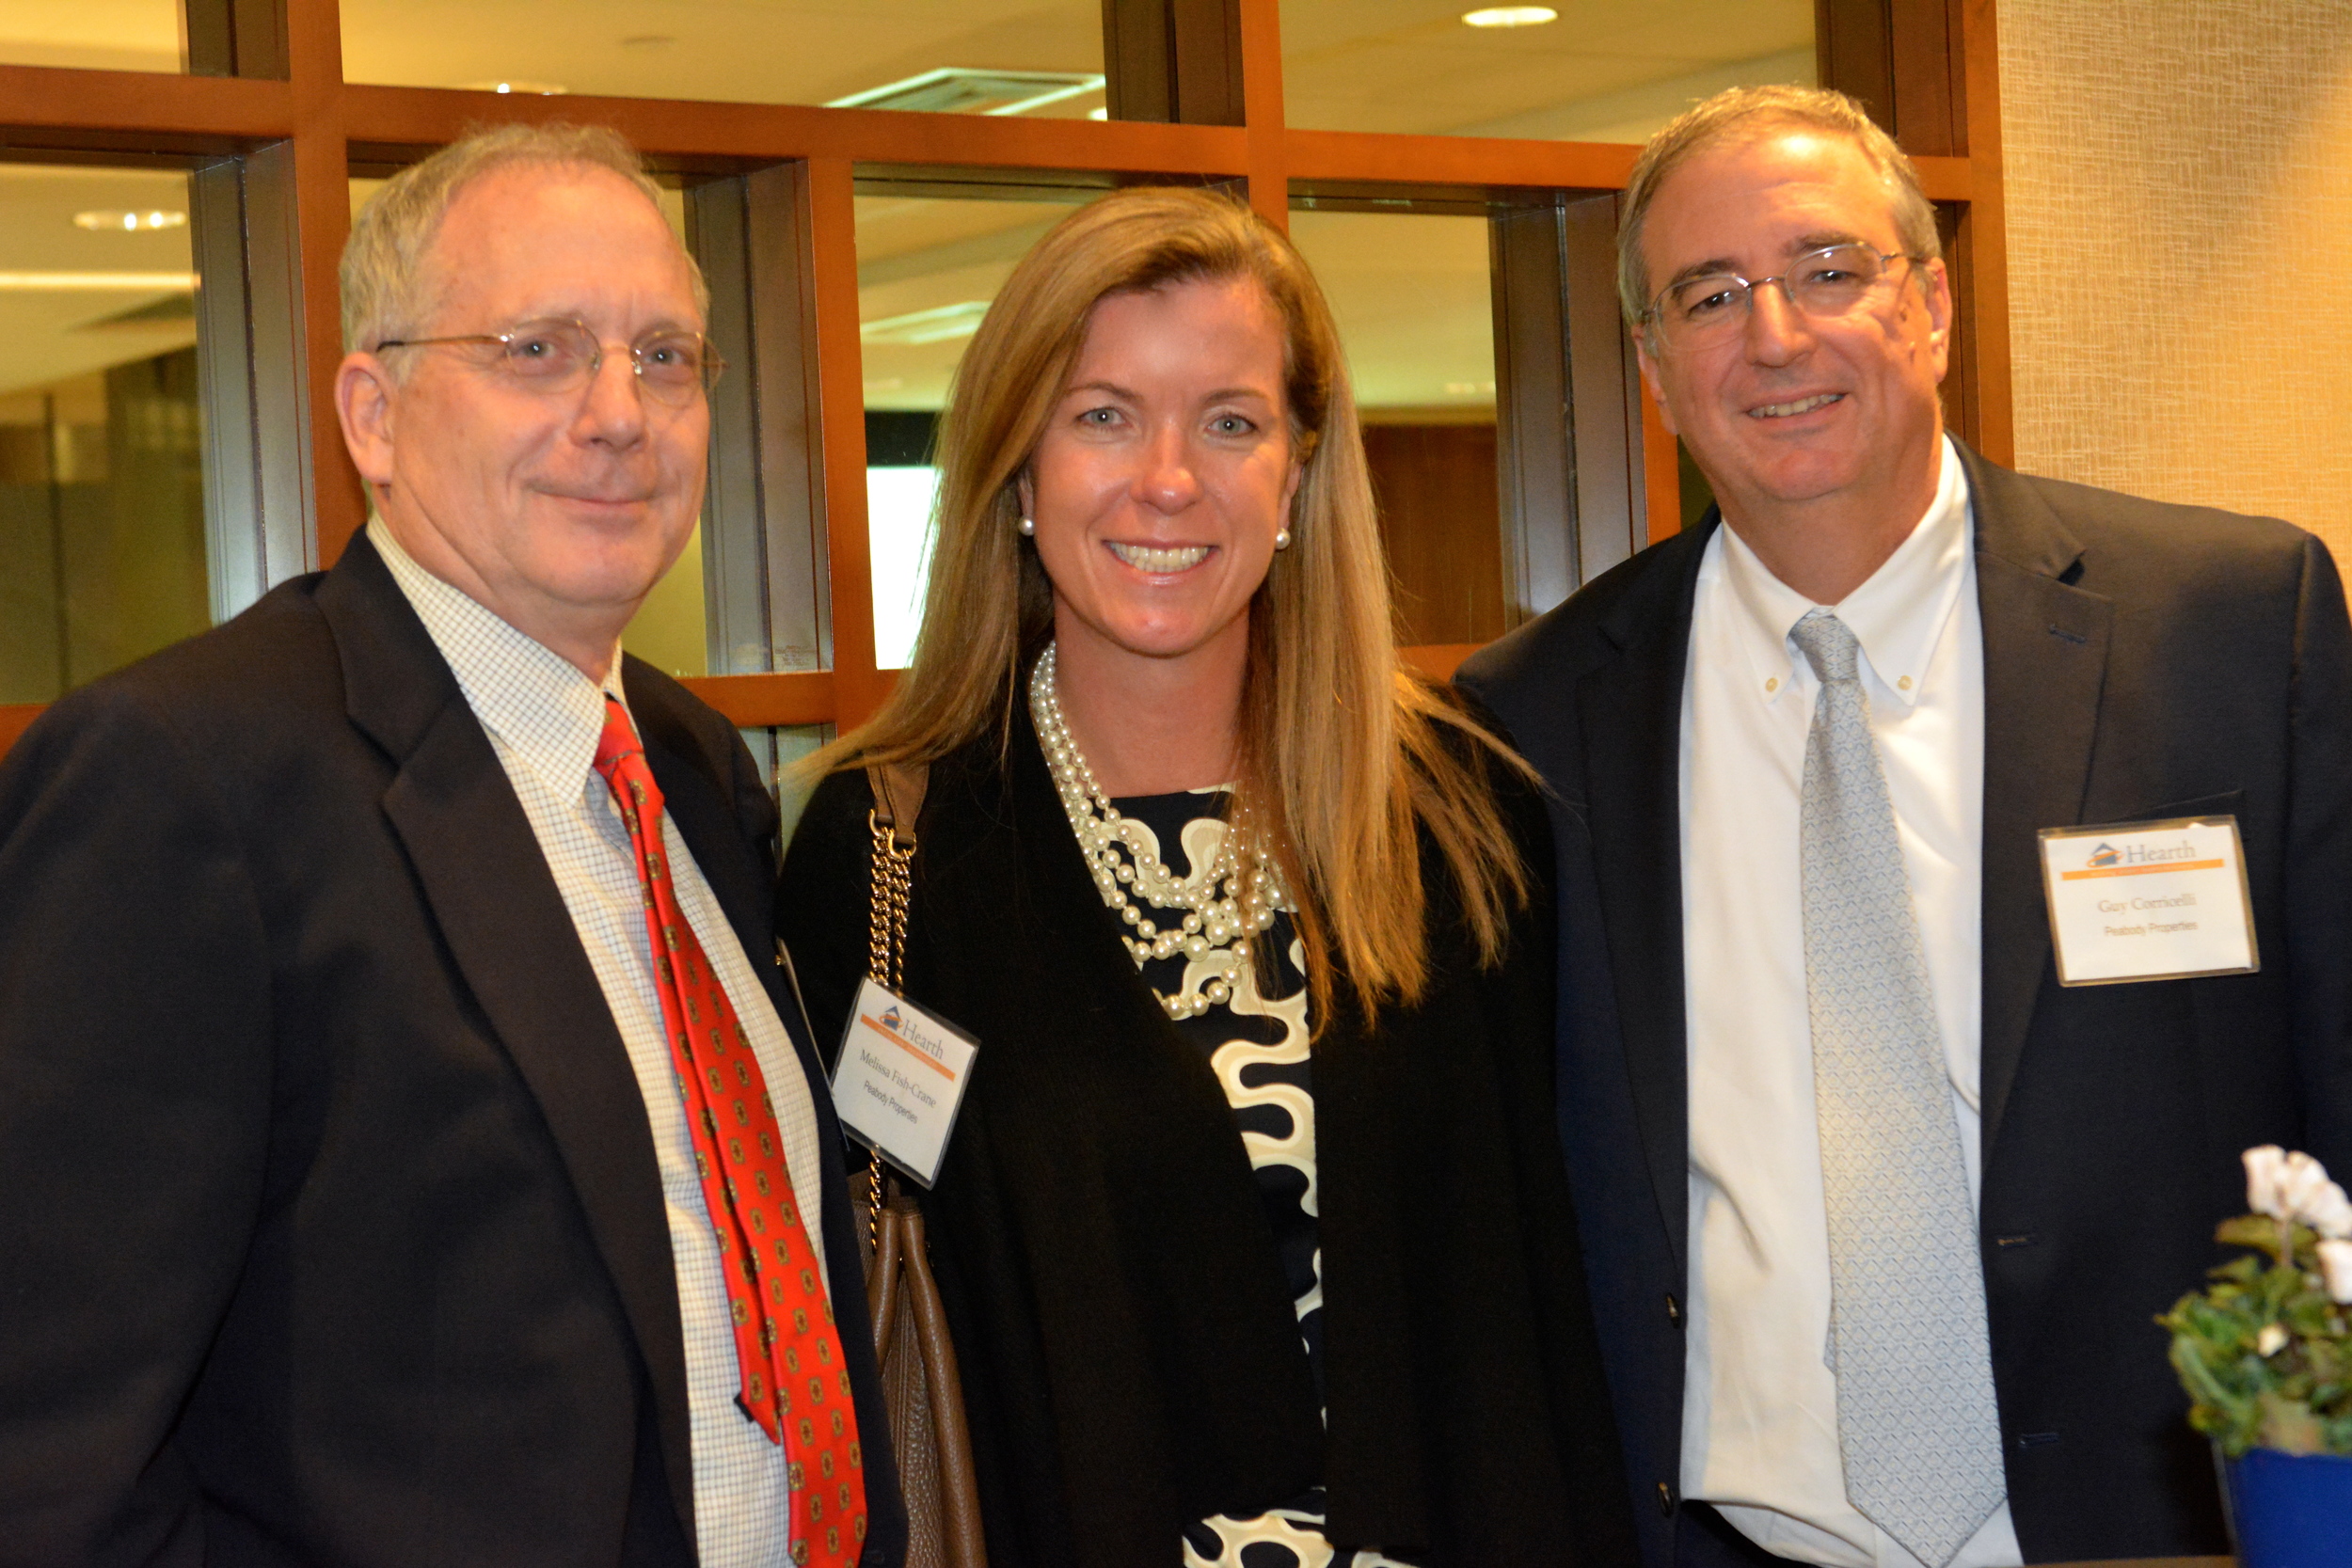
1749,114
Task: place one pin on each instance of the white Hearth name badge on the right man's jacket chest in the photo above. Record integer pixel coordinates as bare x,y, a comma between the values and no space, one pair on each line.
2149,902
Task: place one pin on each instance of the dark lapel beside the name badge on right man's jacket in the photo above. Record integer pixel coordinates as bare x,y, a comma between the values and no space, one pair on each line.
2045,669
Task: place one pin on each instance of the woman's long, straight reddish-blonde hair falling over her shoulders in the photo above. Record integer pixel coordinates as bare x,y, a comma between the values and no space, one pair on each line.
1342,751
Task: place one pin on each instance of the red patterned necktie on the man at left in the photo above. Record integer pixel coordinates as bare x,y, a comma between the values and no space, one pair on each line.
787,1343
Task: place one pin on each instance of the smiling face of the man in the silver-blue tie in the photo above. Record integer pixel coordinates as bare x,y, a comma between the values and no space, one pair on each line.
1800,415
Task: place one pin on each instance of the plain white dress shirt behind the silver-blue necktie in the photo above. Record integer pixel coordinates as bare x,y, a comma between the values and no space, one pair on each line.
1760,1402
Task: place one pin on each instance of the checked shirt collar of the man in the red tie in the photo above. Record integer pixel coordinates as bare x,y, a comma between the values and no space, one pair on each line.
521,690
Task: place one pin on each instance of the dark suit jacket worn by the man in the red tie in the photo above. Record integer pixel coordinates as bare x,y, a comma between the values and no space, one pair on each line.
330,1228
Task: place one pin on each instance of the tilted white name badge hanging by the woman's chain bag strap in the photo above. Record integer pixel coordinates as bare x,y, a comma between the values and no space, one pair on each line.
902,1080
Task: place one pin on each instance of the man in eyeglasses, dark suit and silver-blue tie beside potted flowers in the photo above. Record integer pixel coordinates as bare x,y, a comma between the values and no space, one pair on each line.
1878,1209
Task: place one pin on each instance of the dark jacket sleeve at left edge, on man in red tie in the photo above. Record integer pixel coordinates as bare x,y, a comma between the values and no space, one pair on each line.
135,1085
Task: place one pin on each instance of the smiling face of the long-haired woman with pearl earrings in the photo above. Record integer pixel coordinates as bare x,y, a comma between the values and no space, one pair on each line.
1163,476
